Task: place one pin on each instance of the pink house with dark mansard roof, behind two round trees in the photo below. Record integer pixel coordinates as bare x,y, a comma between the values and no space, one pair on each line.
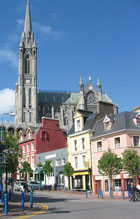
117,132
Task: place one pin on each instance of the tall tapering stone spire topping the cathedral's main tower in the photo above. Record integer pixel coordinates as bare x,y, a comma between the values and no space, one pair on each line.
28,25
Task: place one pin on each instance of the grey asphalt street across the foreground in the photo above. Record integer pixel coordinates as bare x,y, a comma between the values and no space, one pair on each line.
63,205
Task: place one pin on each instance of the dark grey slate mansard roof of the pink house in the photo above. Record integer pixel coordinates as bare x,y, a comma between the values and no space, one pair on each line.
121,121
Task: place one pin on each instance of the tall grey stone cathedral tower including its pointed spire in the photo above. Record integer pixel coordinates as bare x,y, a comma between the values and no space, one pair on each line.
26,87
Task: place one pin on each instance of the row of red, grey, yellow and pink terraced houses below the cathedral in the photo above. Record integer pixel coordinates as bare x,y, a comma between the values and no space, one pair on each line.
90,136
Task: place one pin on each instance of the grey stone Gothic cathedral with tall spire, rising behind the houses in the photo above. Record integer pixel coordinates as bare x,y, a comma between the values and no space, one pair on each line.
31,104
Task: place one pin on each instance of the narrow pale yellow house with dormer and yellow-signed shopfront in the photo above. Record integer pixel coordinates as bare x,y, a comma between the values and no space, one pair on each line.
79,152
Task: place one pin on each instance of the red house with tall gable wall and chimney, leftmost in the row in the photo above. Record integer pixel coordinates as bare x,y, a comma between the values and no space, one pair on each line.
38,140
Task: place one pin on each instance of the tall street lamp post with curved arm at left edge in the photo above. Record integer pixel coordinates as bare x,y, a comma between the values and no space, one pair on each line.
1,183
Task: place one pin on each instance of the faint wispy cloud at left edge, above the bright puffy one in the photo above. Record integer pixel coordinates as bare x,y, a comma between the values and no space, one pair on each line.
8,55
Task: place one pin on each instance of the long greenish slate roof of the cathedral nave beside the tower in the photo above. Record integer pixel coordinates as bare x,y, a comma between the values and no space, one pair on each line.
57,97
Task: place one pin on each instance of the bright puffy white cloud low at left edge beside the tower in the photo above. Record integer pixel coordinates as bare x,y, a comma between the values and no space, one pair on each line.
7,100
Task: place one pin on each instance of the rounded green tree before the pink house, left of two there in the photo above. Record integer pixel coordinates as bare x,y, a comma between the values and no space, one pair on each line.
110,164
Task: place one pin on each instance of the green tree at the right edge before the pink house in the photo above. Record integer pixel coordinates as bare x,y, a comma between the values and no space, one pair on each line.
131,163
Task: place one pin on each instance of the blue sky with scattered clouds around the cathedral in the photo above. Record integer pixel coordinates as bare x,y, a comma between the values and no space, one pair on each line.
97,38
